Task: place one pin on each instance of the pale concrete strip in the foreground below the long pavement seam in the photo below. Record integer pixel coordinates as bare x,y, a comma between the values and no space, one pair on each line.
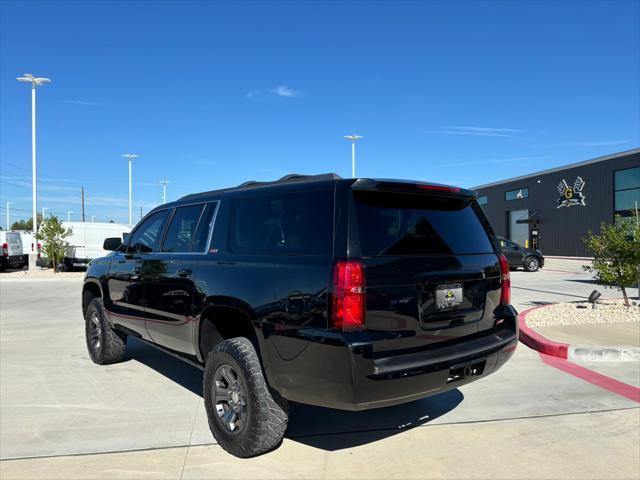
590,445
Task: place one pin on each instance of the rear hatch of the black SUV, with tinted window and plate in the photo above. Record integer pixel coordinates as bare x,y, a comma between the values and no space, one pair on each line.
431,271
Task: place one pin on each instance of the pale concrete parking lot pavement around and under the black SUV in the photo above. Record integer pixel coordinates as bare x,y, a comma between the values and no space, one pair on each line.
61,416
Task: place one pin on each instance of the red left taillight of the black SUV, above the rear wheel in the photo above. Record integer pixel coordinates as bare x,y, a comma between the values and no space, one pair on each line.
347,302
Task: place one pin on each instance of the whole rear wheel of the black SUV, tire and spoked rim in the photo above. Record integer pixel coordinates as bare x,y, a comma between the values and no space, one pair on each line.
245,417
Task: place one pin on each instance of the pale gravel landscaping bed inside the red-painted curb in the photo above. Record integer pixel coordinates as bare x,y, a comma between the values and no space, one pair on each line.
572,313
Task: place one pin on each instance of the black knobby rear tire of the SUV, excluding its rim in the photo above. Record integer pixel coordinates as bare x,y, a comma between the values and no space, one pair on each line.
266,413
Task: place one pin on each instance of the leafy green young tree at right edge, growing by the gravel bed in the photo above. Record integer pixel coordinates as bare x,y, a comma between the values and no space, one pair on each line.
616,255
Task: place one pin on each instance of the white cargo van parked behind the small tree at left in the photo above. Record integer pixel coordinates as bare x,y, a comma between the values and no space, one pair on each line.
85,242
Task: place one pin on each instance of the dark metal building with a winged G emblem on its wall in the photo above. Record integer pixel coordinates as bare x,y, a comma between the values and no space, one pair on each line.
554,209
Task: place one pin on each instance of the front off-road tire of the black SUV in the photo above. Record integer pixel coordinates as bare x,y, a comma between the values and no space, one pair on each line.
112,344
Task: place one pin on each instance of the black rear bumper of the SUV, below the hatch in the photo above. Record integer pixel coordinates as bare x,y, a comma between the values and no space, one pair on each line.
338,370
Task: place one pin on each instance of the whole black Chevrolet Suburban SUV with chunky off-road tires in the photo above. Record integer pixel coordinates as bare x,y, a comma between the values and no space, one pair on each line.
344,293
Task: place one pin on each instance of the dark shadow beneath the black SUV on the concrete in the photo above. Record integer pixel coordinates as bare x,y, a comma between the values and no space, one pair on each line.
325,428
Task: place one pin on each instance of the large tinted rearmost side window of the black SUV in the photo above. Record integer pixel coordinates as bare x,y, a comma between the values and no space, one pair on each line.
298,223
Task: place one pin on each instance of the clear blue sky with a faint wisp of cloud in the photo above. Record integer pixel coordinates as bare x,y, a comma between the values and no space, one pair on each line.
211,94
